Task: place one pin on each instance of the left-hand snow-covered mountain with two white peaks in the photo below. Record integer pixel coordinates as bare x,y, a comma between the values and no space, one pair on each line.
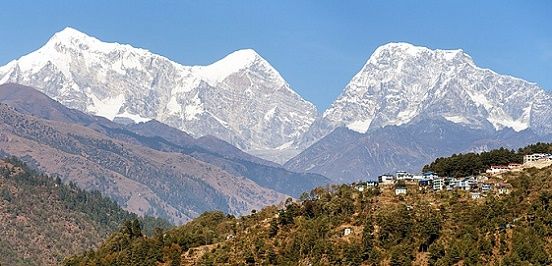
241,99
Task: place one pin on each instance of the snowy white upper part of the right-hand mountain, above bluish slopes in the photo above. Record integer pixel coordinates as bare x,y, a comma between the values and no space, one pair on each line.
401,83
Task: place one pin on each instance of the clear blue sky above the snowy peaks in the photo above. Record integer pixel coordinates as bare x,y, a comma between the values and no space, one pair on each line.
316,45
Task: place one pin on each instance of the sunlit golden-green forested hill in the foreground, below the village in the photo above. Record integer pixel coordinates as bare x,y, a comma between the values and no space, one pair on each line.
341,225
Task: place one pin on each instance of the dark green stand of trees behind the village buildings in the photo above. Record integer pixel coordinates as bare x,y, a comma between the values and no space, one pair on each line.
467,164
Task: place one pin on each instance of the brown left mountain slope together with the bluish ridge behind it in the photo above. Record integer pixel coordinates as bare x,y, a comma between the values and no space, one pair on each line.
145,174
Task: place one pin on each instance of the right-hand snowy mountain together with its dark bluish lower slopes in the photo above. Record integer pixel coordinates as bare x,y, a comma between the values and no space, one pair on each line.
409,104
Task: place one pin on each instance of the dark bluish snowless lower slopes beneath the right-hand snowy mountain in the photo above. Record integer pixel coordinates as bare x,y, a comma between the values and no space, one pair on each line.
348,156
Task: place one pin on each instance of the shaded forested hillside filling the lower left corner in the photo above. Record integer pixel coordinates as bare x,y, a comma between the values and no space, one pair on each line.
43,220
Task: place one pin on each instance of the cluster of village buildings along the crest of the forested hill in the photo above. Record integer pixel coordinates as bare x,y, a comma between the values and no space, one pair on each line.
478,186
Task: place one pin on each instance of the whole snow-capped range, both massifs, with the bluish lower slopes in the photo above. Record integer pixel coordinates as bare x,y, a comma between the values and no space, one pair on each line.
407,105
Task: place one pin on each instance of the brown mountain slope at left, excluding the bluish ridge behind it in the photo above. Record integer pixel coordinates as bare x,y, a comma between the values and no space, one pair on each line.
97,154
